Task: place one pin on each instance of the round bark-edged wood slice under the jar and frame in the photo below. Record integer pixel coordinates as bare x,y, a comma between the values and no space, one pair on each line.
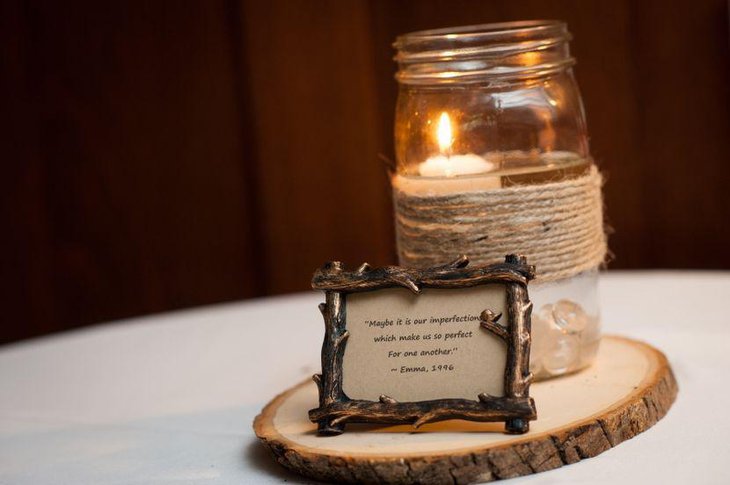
627,390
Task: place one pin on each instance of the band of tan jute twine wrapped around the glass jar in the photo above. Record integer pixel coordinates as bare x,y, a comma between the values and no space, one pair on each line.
557,225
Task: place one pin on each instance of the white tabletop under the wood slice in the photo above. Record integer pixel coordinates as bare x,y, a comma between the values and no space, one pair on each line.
170,398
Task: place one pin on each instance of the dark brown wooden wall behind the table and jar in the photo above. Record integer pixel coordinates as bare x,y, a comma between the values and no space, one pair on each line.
159,155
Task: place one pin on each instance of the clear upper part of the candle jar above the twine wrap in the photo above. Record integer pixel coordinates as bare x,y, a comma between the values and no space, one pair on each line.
509,99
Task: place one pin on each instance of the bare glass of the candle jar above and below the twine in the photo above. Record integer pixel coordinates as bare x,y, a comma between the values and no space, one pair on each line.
492,107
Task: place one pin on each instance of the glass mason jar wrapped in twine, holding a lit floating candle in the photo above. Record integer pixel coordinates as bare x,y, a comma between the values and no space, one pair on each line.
492,158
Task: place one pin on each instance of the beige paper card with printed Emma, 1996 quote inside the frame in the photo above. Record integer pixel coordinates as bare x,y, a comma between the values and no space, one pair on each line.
423,347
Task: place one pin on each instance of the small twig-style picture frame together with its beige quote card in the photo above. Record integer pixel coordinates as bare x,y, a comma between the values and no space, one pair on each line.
423,345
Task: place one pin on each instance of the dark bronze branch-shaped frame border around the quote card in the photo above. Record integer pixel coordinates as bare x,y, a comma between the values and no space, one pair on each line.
516,407
